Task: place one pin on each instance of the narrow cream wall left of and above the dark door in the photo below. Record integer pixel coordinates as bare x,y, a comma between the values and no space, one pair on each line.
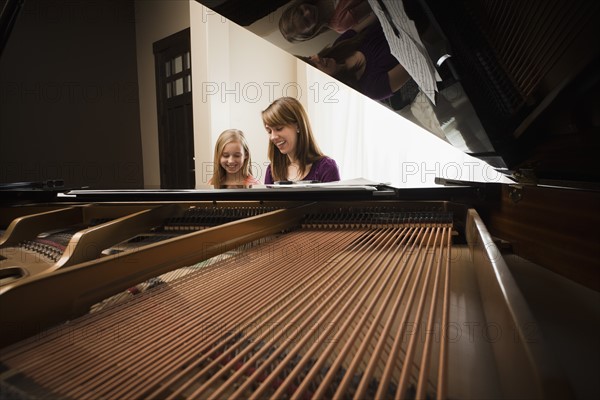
155,20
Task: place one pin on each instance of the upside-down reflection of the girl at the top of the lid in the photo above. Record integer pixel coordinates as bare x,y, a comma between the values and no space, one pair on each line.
306,19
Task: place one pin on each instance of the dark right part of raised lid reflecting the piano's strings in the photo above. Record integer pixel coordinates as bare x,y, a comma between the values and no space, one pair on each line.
531,71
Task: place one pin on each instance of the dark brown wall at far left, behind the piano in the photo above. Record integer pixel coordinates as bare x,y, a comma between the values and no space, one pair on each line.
69,95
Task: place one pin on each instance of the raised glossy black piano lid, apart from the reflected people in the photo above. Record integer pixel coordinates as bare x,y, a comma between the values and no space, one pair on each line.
517,78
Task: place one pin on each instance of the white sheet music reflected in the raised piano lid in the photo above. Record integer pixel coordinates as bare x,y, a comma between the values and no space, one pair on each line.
407,46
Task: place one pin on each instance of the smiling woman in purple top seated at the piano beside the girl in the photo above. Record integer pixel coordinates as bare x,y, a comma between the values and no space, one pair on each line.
293,152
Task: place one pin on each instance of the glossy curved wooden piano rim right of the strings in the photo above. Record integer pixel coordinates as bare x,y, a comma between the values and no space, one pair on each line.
525,365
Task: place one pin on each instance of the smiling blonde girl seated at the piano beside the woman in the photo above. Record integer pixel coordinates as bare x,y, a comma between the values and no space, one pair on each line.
232,161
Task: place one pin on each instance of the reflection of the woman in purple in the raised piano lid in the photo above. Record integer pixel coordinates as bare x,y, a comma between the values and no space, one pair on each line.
363,61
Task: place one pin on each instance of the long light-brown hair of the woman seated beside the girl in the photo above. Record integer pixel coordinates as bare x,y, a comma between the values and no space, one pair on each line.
287,111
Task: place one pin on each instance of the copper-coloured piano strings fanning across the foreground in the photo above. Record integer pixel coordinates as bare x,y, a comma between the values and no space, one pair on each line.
341,307
